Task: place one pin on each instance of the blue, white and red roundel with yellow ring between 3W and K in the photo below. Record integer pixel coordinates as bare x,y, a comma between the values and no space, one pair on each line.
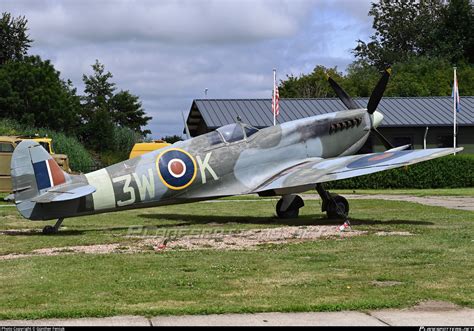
176,168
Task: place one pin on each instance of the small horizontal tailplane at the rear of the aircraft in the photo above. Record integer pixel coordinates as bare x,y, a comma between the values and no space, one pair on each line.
65,192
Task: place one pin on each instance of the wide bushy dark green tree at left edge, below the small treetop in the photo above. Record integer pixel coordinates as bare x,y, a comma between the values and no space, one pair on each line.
32,92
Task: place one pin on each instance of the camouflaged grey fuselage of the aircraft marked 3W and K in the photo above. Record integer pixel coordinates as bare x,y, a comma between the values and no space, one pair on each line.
207,167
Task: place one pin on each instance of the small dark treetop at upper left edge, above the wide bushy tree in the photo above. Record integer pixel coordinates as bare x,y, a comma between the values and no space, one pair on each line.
14,40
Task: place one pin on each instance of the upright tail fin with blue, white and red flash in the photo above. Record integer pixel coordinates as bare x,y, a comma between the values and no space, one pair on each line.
33,172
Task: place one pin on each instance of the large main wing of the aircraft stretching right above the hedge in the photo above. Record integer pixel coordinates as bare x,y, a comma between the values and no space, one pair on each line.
320,170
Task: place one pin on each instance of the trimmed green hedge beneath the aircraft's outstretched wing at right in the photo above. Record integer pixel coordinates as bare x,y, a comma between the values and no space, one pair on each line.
445,172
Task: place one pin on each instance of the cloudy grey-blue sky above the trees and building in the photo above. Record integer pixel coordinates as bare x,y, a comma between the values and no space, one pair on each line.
169,51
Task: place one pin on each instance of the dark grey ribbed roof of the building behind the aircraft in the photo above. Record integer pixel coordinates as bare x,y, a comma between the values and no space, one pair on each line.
397,111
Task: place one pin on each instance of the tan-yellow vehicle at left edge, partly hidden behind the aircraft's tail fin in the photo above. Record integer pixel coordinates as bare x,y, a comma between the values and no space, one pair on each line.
8,144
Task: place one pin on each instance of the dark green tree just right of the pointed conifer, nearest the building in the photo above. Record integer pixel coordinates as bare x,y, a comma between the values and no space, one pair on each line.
128,112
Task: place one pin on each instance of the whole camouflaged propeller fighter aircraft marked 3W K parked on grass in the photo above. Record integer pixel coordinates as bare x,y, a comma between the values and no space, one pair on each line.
280,160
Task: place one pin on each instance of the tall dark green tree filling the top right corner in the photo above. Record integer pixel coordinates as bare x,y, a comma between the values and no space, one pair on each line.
409,28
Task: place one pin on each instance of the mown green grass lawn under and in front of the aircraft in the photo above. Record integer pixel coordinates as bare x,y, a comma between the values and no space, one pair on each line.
436,262
